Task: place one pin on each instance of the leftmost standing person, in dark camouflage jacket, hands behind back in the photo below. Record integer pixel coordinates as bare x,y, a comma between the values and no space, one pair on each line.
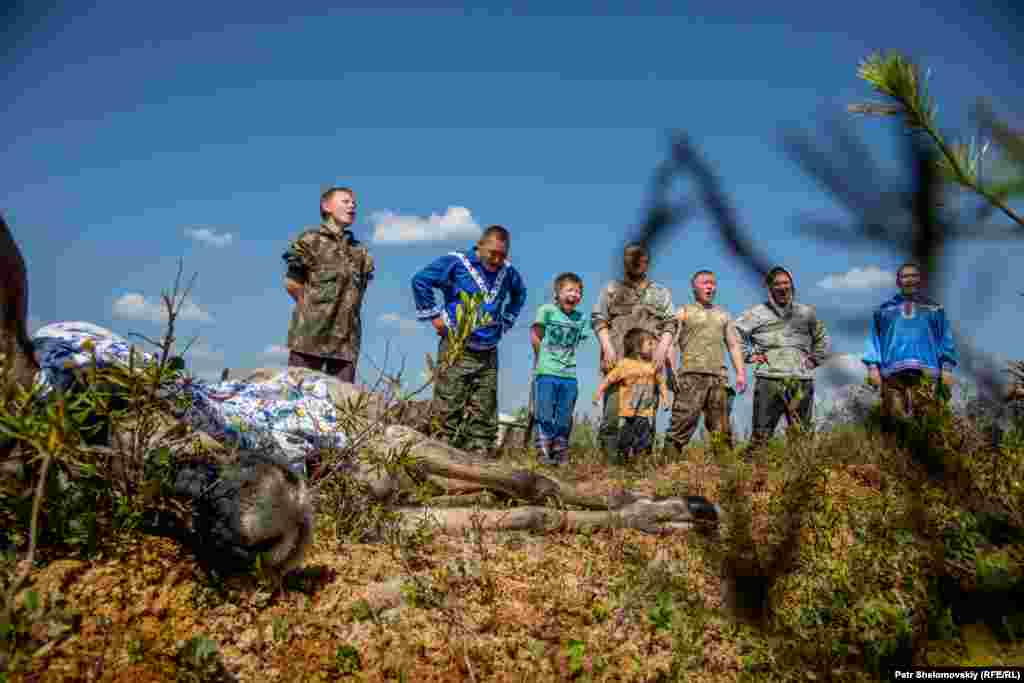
328,274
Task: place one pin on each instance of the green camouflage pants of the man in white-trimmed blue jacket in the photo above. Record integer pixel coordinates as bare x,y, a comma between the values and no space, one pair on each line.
466,400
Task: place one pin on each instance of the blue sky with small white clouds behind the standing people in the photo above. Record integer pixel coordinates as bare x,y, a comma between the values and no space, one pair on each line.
140,135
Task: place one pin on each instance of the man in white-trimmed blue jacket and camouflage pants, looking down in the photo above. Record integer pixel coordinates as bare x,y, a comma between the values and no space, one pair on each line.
467,394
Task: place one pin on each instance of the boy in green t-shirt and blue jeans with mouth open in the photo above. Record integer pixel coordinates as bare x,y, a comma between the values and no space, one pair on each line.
557,333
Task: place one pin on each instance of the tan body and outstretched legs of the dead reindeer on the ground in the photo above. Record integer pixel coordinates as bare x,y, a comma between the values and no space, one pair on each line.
550,504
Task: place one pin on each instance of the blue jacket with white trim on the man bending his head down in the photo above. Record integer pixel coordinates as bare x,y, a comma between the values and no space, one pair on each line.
462,272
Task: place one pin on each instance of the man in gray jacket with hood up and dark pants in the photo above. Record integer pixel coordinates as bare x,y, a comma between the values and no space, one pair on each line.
785,341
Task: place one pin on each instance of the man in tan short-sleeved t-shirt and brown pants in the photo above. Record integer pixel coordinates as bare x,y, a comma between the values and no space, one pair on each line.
706,330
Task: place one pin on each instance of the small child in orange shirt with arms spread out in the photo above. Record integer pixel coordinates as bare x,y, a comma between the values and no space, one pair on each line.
638,399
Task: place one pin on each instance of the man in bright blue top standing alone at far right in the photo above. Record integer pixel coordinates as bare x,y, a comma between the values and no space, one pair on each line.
910,338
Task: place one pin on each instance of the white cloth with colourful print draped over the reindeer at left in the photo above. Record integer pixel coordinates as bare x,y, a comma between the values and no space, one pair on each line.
289,415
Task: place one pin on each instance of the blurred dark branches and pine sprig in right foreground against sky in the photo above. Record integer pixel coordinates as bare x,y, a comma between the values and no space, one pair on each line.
903,214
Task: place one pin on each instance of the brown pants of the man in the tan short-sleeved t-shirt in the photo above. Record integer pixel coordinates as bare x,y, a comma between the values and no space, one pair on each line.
697,394
